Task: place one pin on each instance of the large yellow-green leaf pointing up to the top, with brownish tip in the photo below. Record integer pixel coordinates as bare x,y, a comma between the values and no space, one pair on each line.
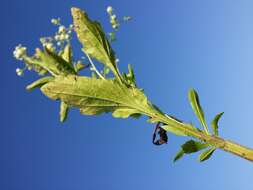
93,39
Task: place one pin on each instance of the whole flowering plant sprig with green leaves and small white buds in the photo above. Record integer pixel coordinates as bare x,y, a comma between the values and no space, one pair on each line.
110,90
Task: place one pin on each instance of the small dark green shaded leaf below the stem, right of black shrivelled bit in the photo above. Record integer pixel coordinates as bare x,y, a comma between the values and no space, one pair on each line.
193,146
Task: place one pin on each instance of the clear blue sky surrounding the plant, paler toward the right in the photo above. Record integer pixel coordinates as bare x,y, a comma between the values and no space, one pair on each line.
172,45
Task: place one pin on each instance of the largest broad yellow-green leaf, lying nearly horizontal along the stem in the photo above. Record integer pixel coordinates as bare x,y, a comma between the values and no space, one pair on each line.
96,96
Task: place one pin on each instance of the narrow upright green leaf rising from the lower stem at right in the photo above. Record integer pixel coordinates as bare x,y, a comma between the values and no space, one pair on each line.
194,100
